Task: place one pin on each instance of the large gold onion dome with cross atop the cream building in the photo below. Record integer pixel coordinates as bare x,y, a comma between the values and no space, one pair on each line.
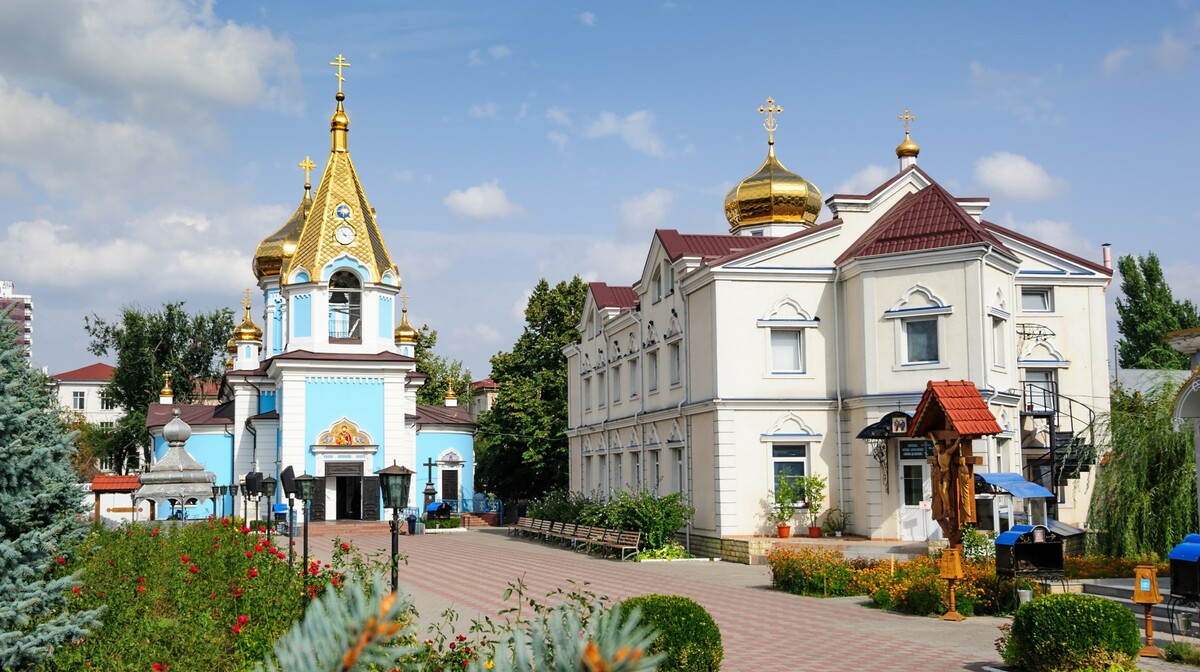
773,194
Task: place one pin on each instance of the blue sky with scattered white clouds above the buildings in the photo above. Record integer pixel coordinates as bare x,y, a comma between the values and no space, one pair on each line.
148,146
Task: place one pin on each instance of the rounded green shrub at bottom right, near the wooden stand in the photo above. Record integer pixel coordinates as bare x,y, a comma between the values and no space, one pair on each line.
1071,632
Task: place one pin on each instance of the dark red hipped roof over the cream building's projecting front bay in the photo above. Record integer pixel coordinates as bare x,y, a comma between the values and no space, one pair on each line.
926,220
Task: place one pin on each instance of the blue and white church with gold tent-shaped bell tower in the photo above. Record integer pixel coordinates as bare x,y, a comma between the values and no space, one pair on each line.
328,386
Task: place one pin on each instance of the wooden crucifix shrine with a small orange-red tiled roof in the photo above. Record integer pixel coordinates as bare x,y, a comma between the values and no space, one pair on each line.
952,415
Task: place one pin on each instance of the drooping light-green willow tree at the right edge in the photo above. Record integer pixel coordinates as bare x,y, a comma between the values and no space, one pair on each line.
1145,495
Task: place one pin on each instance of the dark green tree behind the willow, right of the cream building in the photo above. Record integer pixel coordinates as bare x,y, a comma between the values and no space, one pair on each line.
1148,313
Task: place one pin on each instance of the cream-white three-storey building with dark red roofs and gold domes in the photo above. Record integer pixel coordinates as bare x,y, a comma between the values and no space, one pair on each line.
737,361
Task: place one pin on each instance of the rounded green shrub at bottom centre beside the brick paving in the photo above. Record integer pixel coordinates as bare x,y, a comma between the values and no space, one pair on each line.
688,635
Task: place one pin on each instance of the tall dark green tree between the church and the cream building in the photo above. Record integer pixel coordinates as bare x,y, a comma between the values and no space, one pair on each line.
523,448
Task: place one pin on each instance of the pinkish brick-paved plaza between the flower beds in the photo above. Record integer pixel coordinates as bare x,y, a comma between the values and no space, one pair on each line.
763,631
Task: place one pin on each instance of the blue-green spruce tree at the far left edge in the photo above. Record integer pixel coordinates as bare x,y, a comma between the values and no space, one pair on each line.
40,515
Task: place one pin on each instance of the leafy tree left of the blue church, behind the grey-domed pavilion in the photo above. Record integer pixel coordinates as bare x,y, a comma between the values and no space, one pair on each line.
147,345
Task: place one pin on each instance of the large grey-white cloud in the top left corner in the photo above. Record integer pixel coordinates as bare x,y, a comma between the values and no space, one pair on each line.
171,58
